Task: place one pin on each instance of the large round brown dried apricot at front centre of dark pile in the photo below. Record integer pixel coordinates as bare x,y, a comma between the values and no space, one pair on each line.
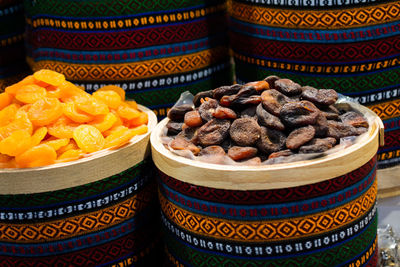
245,131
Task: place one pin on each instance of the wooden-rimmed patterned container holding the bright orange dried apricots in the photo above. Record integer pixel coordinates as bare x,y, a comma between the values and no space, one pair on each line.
99,210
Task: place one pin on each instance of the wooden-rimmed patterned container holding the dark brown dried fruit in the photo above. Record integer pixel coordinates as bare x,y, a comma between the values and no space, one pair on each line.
320,212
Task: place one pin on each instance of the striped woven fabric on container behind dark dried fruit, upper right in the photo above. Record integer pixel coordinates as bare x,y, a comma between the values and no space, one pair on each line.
350,46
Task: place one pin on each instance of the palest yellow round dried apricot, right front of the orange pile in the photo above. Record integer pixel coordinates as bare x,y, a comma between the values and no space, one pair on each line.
88,138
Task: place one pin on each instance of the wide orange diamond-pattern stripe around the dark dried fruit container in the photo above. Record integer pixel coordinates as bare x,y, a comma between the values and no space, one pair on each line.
273,229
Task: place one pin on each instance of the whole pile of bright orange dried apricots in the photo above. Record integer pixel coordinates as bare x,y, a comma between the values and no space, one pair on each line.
45,119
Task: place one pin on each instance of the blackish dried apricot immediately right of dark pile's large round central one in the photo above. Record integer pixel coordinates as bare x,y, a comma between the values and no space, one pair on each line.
271,140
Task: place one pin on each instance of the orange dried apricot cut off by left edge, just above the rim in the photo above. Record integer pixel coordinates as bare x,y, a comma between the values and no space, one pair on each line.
16,143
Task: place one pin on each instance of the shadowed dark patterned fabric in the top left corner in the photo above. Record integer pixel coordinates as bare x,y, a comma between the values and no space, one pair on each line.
12,51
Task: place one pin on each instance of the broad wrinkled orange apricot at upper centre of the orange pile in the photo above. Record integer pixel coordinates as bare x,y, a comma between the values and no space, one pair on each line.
45,111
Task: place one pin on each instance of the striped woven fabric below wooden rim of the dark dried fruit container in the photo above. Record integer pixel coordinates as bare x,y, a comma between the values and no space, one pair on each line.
305,226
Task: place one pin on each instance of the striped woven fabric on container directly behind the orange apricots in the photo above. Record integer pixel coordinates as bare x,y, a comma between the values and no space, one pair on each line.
155,50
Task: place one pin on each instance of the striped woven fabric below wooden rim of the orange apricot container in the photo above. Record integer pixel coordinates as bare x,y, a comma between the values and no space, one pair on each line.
108,222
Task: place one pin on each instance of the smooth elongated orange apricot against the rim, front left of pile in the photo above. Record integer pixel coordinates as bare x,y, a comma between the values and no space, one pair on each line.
36,156
